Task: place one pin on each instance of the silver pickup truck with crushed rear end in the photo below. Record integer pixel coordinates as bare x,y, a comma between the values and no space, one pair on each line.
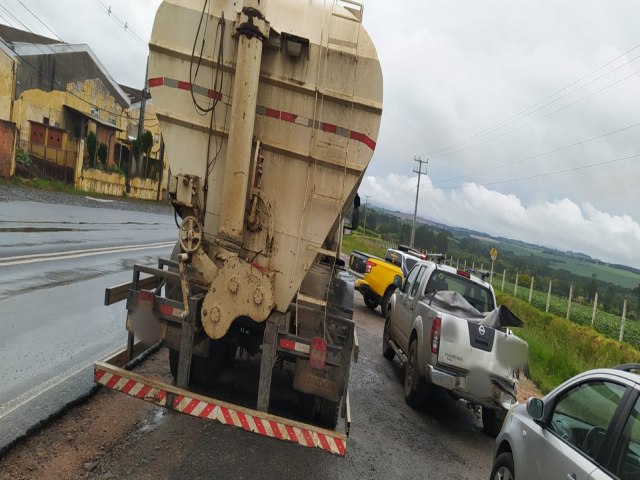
444,326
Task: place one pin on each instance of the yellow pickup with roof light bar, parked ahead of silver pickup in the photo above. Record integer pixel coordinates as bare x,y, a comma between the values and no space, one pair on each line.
379,282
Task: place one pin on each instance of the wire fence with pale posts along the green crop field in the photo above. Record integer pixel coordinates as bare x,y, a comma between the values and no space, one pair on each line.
586,313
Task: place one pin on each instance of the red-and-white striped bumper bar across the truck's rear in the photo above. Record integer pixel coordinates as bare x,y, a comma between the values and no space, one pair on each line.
106,373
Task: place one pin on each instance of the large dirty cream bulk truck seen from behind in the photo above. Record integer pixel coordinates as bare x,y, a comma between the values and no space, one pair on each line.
270,111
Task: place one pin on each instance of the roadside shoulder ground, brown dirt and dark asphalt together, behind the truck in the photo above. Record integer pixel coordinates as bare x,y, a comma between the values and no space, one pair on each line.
115,436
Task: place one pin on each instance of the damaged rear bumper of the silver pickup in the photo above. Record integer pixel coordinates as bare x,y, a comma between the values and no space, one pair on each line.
460,385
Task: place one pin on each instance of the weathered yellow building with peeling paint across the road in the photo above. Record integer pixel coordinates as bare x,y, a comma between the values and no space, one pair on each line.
59,105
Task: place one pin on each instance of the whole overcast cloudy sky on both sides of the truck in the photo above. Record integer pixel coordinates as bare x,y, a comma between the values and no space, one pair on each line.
528,112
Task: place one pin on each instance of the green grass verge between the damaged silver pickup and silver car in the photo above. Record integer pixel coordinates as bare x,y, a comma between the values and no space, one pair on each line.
560,349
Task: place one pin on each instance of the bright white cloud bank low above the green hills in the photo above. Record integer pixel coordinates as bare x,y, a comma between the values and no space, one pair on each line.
559,223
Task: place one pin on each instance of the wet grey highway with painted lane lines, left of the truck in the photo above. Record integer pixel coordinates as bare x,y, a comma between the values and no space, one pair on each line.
56,259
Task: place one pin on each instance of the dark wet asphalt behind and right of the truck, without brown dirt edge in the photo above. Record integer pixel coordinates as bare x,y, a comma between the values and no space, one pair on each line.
388,439
